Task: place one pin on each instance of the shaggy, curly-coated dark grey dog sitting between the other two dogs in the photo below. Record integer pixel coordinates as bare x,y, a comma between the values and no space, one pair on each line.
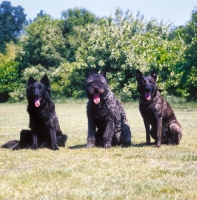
105,114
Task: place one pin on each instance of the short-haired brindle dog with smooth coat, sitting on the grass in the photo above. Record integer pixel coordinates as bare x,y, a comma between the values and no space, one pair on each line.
156,112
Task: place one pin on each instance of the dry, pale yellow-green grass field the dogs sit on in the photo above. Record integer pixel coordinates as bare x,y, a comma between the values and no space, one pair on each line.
74,172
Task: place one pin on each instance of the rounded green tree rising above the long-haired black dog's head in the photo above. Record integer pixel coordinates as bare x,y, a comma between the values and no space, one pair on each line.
43,43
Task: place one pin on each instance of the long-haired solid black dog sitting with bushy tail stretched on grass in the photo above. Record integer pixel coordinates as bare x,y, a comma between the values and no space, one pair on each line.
45,129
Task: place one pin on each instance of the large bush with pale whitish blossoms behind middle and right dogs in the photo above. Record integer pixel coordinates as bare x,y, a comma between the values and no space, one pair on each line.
125,43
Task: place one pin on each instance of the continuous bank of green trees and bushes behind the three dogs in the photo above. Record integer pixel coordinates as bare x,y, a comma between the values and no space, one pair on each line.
65,49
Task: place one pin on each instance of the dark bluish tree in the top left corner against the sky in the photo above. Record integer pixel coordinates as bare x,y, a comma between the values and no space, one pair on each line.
12,20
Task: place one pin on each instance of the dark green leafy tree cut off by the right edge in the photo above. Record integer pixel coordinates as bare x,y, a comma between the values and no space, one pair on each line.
188,83
